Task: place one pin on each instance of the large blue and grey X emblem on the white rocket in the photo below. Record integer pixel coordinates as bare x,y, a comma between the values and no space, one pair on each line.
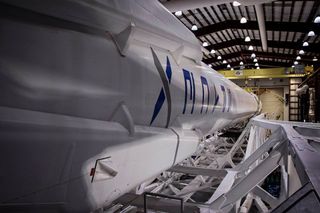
165,90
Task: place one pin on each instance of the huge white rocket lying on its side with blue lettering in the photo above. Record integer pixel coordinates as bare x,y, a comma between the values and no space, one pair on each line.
97,96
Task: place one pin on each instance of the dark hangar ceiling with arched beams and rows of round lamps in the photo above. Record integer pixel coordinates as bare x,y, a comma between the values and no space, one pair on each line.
287,25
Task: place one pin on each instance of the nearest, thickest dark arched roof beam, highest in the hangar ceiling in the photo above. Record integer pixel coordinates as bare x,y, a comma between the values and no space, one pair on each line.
253,25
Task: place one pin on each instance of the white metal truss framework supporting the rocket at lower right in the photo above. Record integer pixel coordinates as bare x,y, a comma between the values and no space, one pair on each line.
227,175
